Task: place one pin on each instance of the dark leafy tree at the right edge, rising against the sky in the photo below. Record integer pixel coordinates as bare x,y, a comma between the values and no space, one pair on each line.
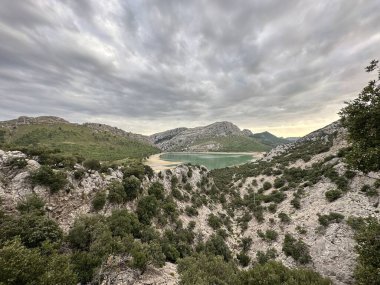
361,117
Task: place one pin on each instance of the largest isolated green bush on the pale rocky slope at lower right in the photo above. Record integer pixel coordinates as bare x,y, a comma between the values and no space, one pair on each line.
296,249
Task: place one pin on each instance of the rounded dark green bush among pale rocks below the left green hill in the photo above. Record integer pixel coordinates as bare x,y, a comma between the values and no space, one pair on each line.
47,177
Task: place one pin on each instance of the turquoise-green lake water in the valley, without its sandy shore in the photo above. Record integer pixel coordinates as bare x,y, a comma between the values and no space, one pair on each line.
210,160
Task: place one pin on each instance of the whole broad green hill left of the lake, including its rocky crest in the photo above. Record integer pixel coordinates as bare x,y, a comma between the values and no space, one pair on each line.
95,141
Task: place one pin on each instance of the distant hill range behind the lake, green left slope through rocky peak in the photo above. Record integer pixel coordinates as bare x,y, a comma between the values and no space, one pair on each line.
53,132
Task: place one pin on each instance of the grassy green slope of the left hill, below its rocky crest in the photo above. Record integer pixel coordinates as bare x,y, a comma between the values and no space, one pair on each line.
75,140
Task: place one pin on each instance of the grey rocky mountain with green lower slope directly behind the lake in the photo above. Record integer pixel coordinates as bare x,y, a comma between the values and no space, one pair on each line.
219,136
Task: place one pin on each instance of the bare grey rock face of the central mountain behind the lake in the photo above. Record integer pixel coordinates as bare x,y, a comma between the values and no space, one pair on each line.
182,139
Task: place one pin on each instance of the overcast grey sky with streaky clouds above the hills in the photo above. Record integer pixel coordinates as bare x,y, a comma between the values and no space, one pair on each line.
146,66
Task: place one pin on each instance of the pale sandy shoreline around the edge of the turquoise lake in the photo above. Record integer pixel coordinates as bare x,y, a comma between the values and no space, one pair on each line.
157,164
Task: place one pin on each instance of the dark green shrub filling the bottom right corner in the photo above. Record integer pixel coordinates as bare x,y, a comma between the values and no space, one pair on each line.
368,247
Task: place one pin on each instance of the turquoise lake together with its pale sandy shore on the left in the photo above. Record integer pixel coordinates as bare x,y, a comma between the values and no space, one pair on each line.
211,160
